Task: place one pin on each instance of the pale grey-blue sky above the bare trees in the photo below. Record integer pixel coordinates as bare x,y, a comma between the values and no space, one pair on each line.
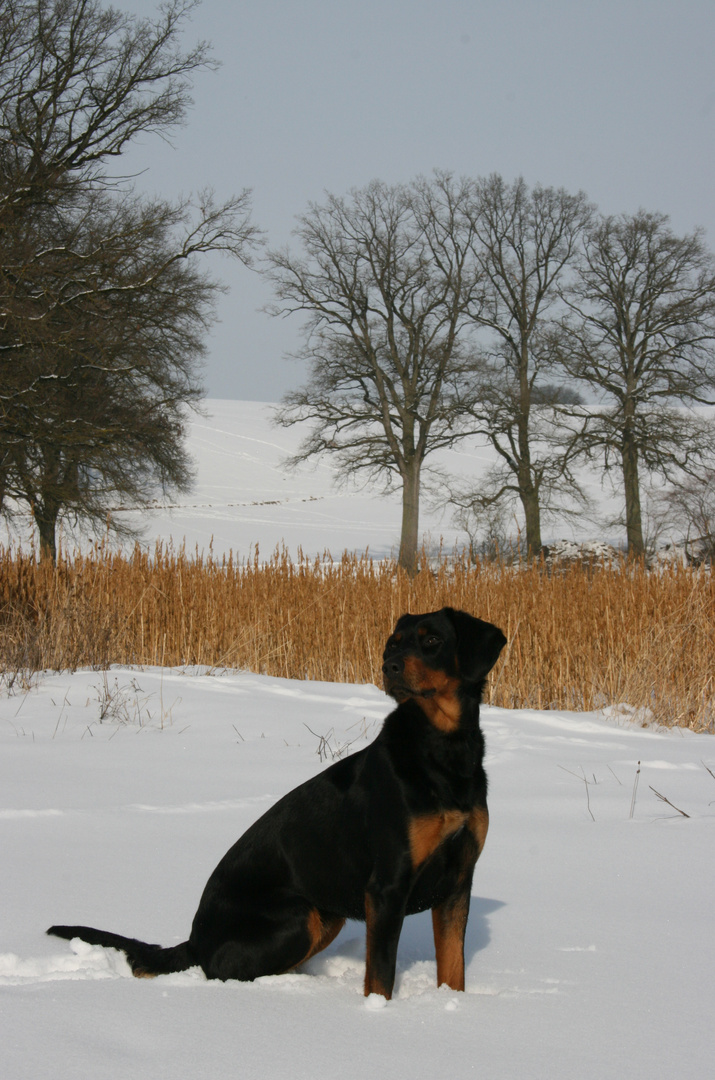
616,98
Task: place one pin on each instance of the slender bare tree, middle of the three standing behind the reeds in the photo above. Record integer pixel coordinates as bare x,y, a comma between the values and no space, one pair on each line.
524,242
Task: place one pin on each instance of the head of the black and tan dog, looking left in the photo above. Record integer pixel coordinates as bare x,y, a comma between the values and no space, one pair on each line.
431,658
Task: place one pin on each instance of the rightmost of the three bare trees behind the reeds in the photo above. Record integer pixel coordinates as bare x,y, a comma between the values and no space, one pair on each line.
642,334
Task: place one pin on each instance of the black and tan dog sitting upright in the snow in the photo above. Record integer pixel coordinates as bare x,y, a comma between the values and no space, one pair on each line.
393,830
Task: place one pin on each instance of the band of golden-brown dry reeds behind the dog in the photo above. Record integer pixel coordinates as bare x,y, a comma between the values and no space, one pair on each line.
578,639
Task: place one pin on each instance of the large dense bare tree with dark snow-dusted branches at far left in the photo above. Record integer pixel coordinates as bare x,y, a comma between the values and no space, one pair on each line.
104,306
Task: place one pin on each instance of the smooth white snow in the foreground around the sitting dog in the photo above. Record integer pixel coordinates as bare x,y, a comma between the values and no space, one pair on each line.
590,943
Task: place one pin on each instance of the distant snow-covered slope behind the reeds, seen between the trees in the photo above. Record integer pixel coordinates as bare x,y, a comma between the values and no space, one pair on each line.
244,496
